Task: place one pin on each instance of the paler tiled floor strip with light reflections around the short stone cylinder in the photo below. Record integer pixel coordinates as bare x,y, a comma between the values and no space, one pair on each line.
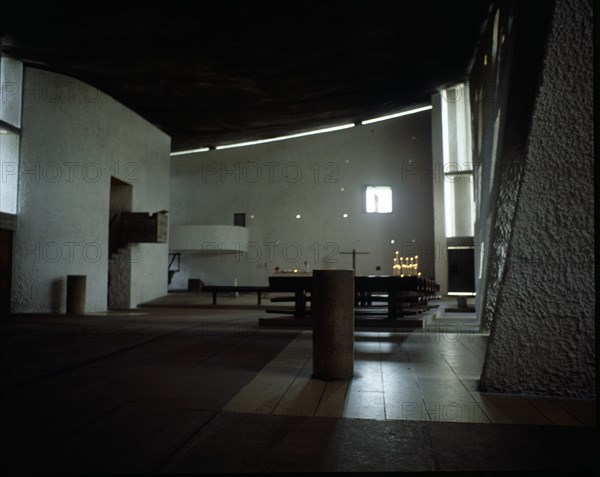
417,376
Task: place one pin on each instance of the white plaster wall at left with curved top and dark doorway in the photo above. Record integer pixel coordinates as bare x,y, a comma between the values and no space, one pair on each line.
74,138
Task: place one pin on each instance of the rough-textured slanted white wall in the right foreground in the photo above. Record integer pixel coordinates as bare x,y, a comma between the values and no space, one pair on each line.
542,338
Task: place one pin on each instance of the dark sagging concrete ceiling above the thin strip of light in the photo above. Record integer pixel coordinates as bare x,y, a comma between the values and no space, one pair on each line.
211,73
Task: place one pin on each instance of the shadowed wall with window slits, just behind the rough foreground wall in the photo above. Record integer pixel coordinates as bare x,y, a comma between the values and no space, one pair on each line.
504,92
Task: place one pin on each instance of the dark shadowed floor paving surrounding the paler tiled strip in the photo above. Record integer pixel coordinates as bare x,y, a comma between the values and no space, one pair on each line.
143,392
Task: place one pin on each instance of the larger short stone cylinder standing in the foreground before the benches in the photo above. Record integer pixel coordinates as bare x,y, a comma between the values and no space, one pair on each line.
332,303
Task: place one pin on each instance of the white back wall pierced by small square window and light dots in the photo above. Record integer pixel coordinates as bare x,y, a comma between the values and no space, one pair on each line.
320,177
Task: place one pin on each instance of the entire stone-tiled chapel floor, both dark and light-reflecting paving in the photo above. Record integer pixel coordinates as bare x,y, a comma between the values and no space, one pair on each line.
208,390
